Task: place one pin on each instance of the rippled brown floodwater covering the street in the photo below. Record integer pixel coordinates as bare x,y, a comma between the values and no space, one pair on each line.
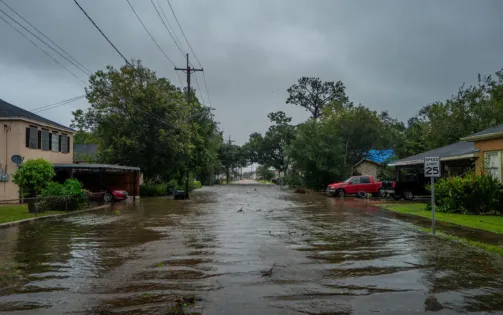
282,254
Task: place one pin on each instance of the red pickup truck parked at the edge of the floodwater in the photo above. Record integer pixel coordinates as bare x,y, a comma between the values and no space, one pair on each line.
355,185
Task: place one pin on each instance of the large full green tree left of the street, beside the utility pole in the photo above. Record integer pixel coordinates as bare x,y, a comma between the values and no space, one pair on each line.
139,119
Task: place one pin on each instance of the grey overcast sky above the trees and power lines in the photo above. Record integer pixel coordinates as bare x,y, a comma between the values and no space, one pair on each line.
391,55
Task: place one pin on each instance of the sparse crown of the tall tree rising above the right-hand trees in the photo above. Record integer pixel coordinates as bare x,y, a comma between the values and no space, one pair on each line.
314,95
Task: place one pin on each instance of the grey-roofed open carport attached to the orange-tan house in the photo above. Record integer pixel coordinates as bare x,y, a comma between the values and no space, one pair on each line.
456,158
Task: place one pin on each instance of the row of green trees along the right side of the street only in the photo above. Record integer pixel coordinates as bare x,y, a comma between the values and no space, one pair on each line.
339,133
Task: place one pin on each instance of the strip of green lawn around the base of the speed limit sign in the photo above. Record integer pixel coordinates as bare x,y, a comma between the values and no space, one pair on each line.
489,223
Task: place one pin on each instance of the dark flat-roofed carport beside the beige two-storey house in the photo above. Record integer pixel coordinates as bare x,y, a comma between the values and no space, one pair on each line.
99,177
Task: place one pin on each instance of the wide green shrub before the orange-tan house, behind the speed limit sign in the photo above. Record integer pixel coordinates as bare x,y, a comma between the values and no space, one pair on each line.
471,193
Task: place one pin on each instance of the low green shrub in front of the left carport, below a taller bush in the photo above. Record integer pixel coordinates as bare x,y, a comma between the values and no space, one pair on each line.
67,196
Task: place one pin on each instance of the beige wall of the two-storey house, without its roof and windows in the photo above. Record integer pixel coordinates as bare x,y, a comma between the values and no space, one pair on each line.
14,142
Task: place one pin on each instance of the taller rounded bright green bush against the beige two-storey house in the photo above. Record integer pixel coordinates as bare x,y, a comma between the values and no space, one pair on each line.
33,175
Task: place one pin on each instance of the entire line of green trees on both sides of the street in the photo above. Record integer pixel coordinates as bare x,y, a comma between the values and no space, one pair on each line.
139,119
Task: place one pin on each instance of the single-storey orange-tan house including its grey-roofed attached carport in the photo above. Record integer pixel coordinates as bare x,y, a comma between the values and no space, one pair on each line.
482,151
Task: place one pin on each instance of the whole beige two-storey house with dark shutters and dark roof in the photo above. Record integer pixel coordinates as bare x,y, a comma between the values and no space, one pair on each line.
29,136
